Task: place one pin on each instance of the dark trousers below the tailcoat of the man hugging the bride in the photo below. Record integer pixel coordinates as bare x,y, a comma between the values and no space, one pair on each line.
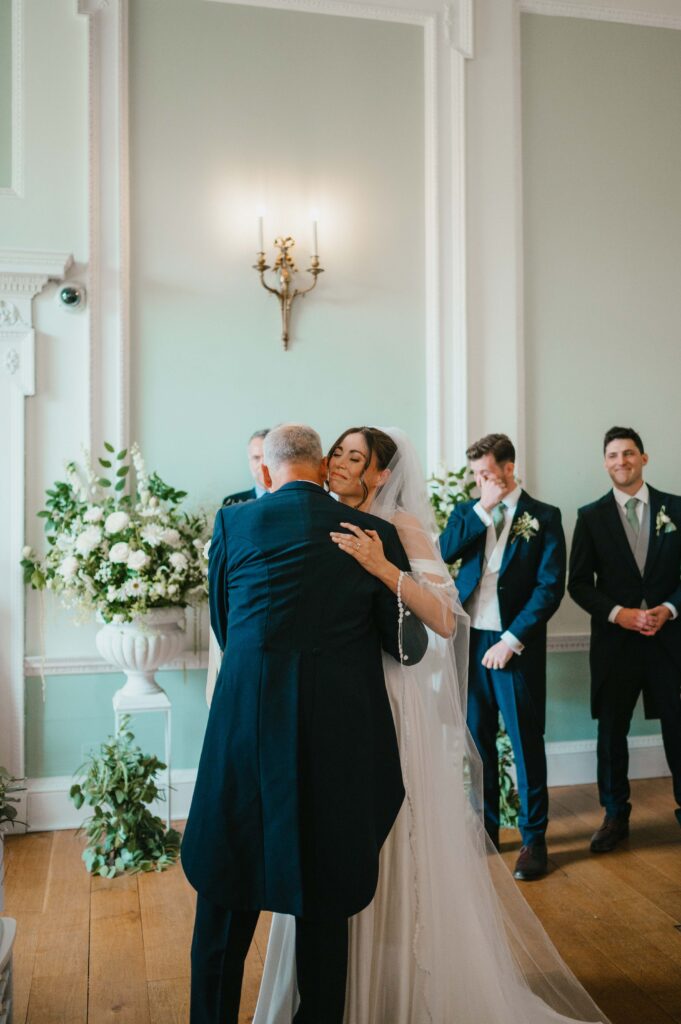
222,941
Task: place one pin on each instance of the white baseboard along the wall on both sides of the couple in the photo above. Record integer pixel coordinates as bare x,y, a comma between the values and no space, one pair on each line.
49,807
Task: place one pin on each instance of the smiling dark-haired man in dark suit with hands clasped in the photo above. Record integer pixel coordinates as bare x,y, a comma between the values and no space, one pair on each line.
625,571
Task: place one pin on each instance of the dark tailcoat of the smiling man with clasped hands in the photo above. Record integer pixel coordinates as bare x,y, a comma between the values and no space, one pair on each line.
604,573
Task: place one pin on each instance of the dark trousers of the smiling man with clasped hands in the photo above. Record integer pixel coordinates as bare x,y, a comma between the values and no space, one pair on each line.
641,666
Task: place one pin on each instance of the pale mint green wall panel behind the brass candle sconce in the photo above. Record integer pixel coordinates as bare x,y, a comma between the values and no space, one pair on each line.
233,107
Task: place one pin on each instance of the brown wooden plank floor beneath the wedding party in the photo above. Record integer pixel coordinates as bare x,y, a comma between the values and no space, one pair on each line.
91,952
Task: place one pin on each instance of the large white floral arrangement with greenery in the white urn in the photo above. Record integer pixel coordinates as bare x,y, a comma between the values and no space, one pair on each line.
120,554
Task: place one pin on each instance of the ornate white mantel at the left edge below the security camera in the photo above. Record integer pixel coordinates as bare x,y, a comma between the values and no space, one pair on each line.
23,276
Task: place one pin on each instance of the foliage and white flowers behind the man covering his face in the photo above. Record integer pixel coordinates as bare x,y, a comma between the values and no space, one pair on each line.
449,489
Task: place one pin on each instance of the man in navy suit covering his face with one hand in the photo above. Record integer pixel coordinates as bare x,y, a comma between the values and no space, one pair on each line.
512,581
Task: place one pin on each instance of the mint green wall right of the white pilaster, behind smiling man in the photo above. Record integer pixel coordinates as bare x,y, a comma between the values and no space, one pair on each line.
602,125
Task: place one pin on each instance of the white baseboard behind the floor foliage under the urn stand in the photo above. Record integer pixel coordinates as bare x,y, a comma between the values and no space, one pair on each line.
49,807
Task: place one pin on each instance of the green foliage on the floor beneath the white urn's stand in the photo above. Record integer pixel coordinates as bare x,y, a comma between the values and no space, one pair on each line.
123,835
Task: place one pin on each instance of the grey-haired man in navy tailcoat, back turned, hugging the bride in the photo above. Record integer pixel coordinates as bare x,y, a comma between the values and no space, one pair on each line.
300,781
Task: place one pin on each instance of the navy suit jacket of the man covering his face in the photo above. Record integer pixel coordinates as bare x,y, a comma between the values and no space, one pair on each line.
532,579
